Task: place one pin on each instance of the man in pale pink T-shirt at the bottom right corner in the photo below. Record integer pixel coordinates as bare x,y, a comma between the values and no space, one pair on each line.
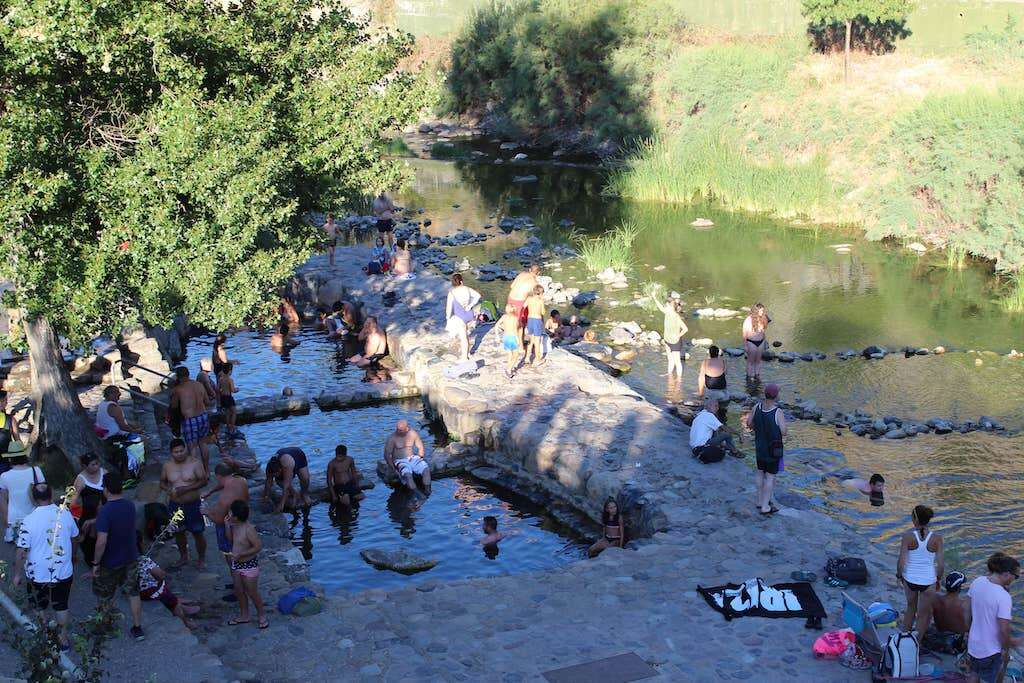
989,615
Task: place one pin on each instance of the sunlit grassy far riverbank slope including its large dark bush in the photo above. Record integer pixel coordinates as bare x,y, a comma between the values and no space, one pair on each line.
917,148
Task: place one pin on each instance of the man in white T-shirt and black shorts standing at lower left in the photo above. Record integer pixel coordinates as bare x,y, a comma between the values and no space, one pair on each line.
46,550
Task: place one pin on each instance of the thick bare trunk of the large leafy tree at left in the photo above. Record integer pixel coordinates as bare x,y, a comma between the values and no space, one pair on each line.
62,423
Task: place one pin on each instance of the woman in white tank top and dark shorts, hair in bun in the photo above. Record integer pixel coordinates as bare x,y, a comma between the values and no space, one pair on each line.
920,569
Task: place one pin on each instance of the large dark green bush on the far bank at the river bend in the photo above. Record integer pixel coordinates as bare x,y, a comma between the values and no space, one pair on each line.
558,66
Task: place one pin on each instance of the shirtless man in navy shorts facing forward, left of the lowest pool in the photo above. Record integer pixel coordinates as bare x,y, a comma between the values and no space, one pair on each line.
183,478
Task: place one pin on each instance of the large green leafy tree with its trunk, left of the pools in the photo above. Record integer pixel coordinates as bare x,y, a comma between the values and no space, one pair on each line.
159,157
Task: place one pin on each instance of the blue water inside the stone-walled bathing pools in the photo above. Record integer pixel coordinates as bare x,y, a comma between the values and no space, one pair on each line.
447,528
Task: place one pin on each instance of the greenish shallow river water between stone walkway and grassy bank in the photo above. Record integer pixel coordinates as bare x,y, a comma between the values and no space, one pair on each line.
820,300
